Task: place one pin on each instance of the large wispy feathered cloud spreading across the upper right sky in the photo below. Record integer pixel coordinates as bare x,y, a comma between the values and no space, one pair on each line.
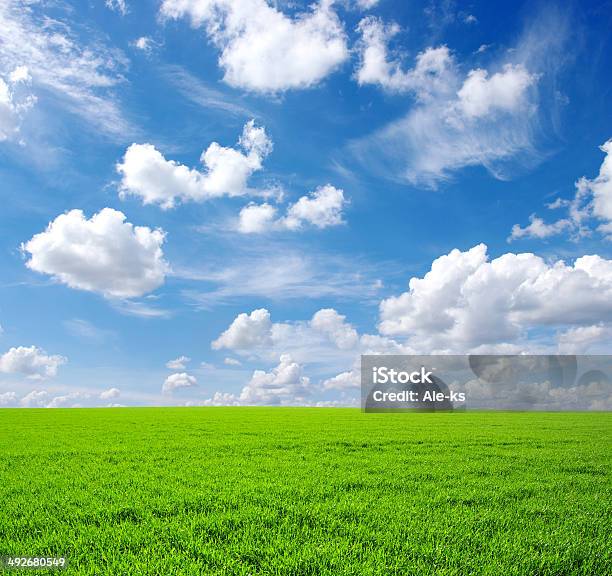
494,118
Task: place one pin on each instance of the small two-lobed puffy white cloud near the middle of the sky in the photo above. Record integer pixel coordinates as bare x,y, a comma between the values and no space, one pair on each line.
322,208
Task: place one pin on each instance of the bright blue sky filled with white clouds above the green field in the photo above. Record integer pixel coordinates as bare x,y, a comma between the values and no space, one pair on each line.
259,183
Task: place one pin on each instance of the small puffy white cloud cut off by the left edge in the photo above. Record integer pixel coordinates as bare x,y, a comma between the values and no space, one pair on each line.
14,102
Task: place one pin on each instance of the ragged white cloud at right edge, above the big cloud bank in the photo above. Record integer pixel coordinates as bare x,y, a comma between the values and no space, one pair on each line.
592,201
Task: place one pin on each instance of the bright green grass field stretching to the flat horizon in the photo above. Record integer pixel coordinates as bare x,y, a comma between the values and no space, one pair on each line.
293,491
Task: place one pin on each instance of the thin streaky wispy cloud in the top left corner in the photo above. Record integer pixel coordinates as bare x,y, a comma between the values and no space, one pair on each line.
81,78
